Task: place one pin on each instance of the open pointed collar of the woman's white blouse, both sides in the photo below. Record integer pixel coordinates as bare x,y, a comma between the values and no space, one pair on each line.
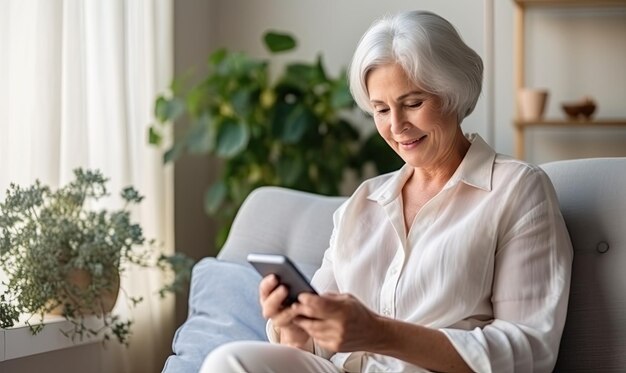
475,170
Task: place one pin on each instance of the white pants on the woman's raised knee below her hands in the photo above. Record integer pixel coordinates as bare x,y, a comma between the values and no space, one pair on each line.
264,357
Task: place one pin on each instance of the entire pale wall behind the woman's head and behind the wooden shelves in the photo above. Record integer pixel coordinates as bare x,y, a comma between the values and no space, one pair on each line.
555,39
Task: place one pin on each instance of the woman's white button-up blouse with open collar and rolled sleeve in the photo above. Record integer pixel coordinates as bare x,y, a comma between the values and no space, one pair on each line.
487,261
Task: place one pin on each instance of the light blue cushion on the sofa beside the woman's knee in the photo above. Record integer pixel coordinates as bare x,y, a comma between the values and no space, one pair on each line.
223,307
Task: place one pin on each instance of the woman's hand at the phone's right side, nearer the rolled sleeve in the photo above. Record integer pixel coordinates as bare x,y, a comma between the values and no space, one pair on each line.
337,322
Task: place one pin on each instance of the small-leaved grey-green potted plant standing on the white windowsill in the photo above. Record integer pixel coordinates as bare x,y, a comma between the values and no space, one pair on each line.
60,256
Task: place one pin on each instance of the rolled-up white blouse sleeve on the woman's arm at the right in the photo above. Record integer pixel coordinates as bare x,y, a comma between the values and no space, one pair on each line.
530,286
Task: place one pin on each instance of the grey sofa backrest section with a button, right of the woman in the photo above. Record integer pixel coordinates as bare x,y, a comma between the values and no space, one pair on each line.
592,196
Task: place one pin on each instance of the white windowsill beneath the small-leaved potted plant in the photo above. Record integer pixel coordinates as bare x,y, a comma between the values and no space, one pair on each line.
18,341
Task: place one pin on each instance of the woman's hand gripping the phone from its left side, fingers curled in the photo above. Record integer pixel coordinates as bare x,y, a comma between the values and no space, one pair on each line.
272,295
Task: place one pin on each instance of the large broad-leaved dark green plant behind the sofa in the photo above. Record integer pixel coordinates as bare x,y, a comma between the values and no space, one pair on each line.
292,131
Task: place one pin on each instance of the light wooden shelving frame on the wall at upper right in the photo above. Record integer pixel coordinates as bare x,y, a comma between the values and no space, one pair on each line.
520,77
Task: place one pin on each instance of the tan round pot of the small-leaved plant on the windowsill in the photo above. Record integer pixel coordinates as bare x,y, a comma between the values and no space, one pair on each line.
77,294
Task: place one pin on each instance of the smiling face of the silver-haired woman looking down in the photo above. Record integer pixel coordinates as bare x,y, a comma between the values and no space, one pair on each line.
410,119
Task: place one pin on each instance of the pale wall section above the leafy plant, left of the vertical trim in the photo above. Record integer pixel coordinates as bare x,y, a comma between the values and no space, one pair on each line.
334,28
